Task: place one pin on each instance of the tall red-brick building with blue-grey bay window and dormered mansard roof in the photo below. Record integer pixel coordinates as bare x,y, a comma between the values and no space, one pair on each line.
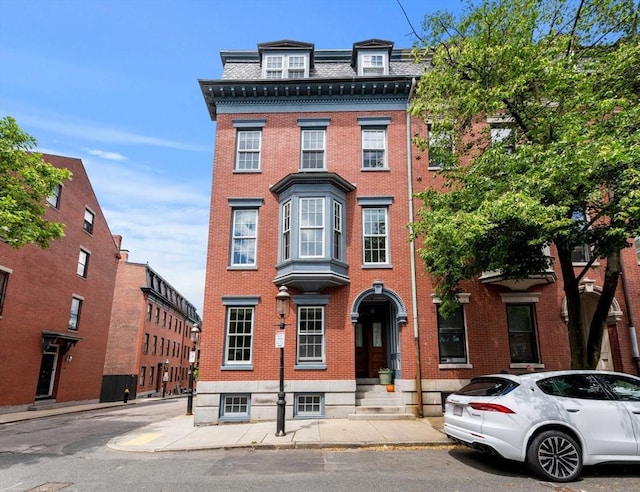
314,174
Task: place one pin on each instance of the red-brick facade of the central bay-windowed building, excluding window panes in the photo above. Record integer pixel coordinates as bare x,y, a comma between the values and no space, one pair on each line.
334,97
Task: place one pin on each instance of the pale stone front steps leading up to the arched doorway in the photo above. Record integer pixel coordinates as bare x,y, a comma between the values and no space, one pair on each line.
374,402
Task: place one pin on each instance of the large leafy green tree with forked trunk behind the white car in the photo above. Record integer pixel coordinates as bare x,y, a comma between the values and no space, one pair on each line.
564,75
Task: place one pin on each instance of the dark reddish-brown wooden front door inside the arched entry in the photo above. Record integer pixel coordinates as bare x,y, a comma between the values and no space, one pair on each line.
371,340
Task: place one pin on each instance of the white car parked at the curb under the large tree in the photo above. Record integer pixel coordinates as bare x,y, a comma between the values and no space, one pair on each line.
556,421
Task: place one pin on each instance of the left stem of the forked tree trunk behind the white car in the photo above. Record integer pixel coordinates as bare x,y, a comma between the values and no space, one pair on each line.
575,329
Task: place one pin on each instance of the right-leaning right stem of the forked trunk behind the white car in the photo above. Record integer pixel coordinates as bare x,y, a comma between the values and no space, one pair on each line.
599,320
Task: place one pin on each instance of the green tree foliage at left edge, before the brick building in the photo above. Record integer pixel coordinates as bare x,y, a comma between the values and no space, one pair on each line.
25,182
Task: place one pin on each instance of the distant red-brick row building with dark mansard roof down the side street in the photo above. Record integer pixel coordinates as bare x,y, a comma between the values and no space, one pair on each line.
149,334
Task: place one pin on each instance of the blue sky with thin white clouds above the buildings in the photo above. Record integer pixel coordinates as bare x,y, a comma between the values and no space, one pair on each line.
115,83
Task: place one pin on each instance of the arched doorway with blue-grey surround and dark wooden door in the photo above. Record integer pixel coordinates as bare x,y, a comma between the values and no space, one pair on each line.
377,315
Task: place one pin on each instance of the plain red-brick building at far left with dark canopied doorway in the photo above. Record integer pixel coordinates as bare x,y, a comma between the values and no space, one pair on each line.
55,303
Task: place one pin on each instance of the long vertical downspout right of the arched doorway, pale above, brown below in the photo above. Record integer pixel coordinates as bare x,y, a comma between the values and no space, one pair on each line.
412,256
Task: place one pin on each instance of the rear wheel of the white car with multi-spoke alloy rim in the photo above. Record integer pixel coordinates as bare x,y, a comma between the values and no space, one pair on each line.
555,456
